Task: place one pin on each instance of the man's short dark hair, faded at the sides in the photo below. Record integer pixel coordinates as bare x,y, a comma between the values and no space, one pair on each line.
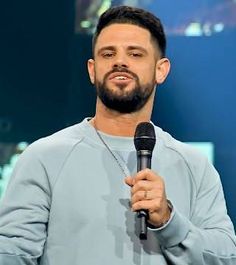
134,16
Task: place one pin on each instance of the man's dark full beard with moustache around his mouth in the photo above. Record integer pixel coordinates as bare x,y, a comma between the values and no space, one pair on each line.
128,102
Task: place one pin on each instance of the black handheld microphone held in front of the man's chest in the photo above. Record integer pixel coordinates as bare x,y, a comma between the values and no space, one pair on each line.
144,141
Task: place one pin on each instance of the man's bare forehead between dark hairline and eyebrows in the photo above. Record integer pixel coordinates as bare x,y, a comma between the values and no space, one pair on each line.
123,34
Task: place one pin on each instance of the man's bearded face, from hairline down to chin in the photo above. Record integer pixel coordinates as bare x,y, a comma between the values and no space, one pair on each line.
124,67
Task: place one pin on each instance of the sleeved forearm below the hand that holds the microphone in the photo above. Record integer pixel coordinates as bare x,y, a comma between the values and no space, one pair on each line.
183,243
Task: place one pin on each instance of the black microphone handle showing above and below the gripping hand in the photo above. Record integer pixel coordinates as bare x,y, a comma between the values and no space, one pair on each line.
143,161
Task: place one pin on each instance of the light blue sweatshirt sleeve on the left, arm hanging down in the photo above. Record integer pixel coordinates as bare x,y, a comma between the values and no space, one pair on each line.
24,212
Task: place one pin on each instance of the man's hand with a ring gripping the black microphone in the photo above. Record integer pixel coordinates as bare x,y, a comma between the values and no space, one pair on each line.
148,193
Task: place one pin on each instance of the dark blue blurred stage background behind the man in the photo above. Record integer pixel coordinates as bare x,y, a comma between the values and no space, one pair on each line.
44,83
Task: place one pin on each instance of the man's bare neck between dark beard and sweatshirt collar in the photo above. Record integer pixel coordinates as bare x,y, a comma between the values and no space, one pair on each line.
118,124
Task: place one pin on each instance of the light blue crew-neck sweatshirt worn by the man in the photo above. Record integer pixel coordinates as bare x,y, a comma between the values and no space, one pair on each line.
67,204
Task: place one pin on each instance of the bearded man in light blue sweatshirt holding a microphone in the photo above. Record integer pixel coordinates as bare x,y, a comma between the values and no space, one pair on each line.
68,202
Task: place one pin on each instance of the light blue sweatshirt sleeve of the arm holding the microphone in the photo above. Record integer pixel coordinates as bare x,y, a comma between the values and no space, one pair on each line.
207,238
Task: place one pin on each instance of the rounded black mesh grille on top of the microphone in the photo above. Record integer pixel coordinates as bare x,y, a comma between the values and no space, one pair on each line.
144,137
